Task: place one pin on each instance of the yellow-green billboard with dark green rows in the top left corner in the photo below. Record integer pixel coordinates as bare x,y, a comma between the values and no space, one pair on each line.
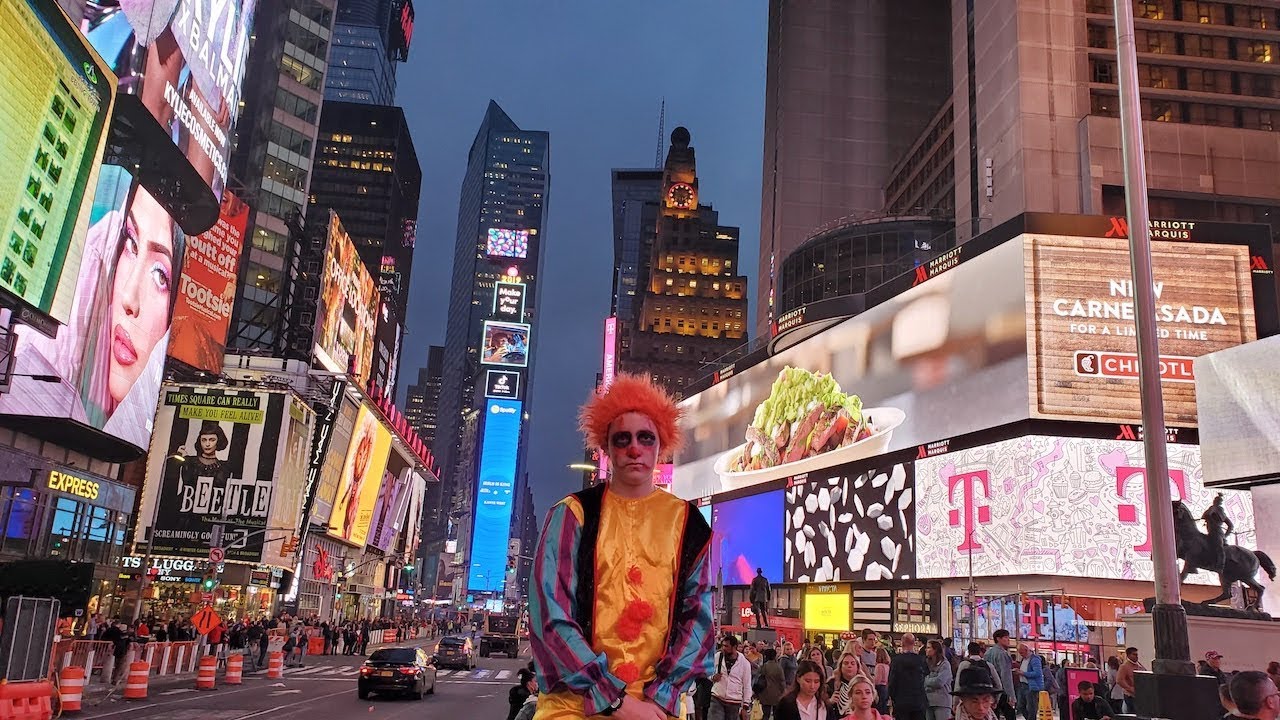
56,101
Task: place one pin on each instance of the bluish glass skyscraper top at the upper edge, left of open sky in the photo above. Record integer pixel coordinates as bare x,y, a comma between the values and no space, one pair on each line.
369,39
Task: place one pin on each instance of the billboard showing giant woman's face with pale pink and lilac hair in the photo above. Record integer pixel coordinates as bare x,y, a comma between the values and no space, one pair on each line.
104,368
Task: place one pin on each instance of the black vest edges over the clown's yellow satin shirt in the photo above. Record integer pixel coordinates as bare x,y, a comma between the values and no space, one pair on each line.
694,543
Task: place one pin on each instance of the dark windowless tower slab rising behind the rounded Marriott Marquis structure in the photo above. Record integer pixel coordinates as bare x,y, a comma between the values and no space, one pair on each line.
849,89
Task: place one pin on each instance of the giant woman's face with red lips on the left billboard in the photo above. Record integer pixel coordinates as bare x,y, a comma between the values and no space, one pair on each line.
140,297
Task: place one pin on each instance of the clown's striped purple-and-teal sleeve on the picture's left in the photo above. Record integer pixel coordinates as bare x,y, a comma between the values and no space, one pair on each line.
563,654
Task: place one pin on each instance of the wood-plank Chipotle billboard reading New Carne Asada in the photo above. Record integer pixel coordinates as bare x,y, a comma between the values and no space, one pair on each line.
1085,356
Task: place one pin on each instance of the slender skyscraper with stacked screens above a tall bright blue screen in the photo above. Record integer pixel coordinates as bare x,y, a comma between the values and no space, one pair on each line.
491,341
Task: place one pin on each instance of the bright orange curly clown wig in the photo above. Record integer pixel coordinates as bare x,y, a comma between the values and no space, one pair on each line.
633,394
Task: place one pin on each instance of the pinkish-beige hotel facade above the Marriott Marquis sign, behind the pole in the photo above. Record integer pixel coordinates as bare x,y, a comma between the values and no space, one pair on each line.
1043,133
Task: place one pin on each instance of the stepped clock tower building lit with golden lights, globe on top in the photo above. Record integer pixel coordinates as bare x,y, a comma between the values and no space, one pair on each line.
693,307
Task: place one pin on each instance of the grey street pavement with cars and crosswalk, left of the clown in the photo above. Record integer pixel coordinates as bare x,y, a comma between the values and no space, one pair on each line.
326,687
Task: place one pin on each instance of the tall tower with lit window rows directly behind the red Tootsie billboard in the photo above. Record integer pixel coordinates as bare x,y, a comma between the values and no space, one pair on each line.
272,161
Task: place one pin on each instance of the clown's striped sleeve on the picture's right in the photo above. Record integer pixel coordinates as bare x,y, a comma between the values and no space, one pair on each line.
693,641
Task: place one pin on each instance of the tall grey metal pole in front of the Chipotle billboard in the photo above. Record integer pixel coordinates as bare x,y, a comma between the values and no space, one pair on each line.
1169,618
